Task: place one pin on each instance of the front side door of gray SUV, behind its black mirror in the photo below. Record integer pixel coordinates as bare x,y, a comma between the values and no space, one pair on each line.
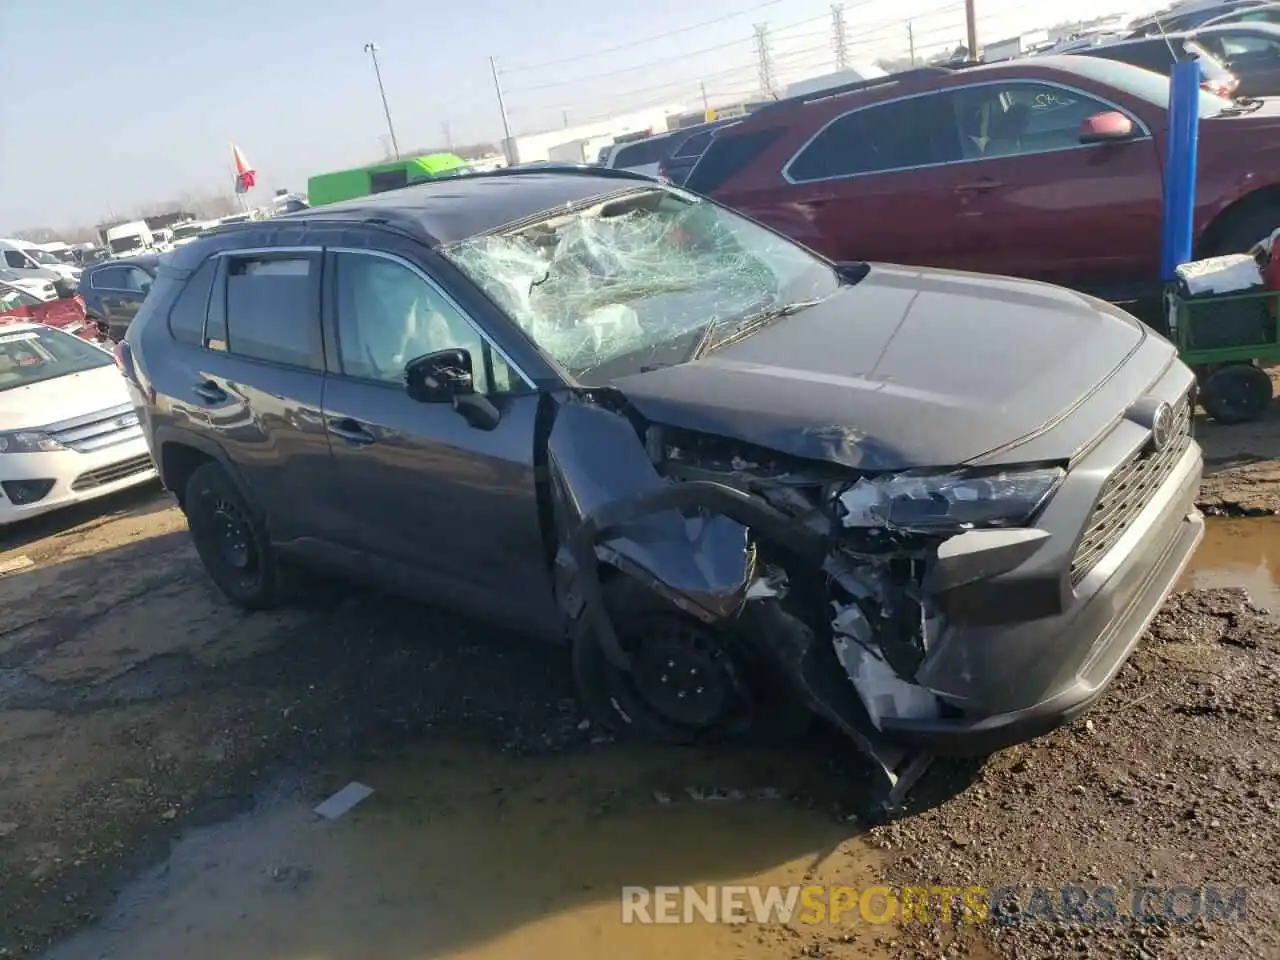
428,495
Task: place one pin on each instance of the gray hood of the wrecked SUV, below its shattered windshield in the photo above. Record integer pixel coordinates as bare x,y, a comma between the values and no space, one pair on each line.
909,368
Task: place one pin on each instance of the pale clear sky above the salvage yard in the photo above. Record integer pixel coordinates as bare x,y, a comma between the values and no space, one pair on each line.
111,104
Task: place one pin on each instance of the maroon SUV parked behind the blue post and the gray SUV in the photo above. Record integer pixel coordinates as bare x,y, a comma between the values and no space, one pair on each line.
1048,168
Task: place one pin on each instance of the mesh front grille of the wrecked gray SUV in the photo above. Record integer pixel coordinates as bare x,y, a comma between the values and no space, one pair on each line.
1127,492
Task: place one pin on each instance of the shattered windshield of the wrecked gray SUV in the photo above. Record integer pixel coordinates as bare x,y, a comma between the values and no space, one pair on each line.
641,278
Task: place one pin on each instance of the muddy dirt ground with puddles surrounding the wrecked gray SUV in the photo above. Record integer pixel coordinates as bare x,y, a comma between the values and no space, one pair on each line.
161,753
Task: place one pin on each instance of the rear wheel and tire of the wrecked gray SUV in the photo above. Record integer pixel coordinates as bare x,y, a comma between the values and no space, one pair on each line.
231,541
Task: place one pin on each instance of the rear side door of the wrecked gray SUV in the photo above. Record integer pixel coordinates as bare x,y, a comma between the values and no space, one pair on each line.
255,387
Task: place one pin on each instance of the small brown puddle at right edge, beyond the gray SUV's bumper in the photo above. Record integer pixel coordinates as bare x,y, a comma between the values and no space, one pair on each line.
1240,554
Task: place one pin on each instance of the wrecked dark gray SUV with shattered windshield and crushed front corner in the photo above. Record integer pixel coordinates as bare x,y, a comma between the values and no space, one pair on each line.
746,483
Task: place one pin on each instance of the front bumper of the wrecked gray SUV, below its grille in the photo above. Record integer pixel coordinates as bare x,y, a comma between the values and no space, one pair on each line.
1012,675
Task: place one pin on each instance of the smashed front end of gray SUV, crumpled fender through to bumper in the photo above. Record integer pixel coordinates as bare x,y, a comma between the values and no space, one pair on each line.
949,644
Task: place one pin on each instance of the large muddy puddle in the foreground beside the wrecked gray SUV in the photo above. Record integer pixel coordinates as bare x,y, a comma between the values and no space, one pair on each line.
469,853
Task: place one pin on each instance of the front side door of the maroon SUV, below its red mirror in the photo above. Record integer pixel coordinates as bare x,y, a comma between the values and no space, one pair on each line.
1043,205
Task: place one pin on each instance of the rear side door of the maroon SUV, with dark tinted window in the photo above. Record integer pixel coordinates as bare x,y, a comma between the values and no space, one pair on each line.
874,185
